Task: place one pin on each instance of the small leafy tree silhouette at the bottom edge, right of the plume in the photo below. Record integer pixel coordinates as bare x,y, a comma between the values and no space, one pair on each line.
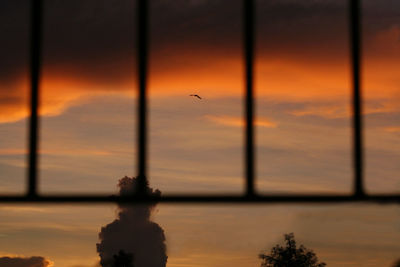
290,255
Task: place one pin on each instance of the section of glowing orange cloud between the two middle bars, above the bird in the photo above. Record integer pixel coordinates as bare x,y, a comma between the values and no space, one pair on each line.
215,77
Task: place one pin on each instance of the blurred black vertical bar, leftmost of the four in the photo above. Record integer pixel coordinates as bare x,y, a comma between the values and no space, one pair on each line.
35,64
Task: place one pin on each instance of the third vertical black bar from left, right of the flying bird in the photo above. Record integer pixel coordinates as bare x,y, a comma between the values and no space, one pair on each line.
249,56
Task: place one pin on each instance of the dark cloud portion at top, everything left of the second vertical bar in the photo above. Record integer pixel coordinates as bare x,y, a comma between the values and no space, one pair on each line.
82,39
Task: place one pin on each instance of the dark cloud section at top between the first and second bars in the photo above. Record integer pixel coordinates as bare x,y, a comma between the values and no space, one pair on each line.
90,39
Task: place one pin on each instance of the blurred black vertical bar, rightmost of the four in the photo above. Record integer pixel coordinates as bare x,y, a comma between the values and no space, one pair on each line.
355,39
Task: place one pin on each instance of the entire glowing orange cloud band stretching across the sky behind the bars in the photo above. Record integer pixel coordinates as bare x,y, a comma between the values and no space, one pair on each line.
214,75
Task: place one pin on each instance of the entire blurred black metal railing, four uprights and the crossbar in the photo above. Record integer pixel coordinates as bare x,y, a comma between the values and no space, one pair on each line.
250,195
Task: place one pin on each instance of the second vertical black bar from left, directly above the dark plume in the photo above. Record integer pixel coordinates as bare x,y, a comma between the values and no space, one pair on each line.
142,55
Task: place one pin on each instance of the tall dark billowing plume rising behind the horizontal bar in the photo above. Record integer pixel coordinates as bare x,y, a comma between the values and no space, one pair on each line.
133,233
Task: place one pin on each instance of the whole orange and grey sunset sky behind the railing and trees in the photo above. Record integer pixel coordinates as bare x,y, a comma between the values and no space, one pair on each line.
303,126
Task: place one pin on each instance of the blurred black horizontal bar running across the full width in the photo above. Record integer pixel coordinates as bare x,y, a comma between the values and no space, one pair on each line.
186,199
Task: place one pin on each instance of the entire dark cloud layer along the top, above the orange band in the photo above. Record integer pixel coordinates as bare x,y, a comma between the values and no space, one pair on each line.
96,39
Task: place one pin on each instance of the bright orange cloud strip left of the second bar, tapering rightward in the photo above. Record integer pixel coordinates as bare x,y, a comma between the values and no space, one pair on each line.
57,95
